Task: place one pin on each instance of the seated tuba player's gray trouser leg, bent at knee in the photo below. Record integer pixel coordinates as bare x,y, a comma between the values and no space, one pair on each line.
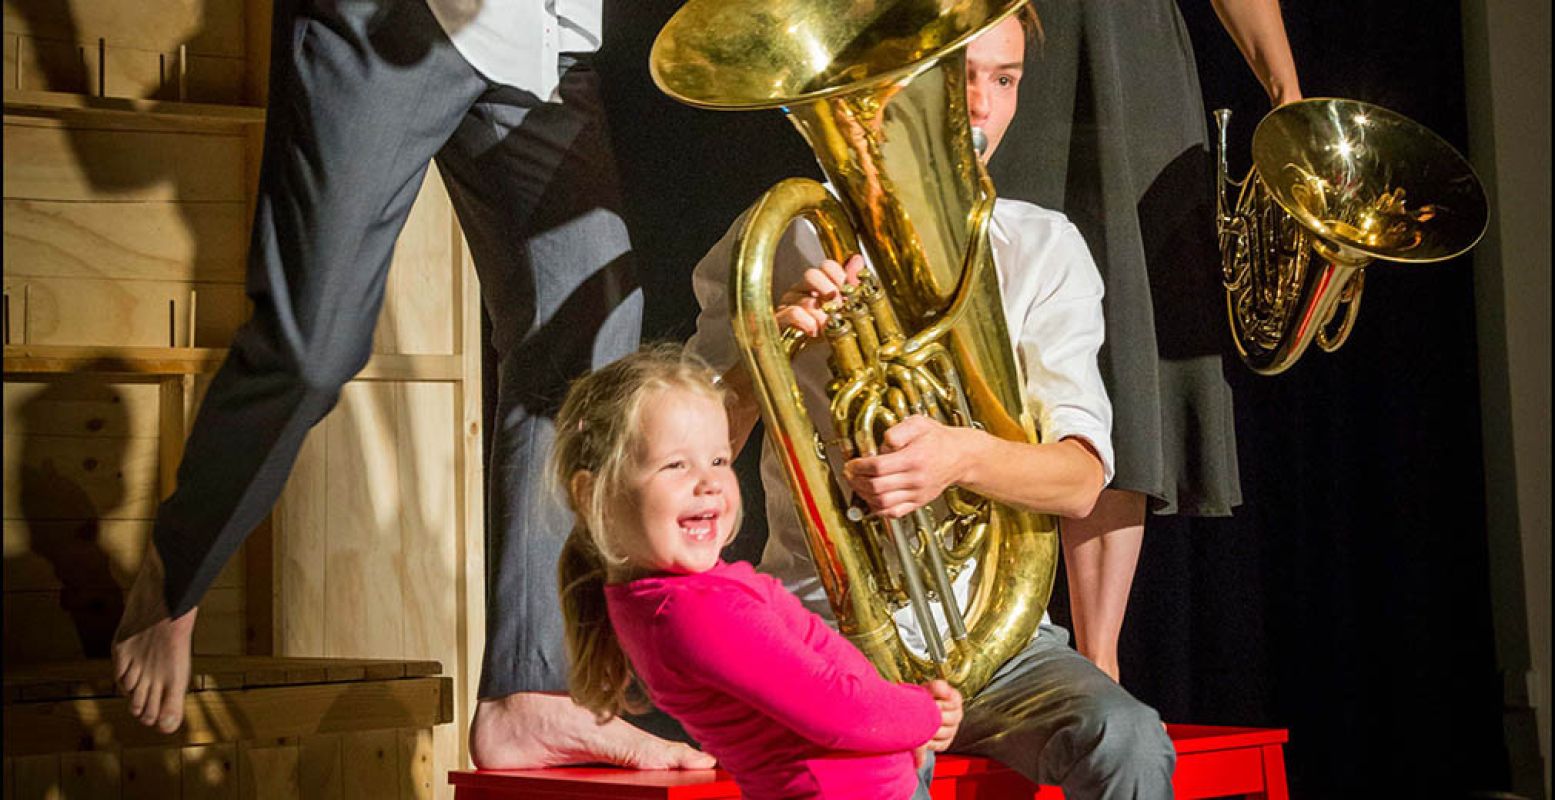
1058,720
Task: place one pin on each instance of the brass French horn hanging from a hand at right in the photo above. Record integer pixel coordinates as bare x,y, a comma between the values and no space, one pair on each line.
1346,183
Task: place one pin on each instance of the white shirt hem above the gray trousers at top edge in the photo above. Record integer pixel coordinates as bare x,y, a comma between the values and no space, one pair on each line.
517,43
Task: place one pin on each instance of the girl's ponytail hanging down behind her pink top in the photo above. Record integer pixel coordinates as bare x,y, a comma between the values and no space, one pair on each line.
599,675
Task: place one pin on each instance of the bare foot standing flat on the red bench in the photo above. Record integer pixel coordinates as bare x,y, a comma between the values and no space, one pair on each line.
531,731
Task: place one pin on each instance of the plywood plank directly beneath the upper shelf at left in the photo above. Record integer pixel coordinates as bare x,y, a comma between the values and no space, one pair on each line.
79,164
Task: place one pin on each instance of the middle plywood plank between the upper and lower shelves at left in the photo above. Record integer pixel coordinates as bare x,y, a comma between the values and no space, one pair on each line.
204,242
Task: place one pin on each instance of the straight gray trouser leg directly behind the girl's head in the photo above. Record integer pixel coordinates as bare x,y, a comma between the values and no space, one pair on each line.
536,189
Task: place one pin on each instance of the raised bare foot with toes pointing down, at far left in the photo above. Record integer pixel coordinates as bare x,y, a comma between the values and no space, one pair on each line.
152,653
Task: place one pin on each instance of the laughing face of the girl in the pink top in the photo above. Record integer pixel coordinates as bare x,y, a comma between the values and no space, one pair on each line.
679,500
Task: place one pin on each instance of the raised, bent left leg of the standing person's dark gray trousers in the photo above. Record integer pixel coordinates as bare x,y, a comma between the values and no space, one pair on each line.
363,96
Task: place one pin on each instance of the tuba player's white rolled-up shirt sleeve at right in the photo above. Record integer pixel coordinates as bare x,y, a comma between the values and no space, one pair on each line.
1061,337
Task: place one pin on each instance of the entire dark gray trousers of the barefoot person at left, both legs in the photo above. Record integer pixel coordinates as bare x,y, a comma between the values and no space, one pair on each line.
365,94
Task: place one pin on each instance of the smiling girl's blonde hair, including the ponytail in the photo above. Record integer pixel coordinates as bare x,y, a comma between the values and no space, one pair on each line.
598,433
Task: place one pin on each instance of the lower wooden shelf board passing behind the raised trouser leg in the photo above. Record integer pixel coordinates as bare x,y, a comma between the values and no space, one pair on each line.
149,363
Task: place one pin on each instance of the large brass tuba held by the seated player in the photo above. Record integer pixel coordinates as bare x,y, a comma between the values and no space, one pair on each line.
879,93
